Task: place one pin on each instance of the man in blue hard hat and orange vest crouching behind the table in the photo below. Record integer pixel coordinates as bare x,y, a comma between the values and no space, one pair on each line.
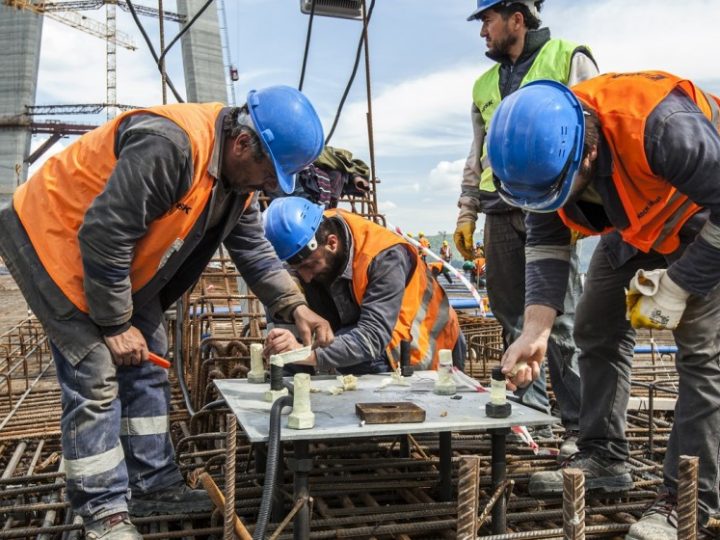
350,269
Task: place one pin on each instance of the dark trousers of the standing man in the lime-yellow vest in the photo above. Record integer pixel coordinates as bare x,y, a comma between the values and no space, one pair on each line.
505,273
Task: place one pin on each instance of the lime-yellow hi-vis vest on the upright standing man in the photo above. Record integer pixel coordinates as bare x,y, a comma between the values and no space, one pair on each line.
552,62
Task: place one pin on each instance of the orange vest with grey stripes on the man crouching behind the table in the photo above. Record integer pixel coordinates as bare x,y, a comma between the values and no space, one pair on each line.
426,318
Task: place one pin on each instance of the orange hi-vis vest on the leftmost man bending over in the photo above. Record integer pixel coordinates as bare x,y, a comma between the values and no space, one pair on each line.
52,204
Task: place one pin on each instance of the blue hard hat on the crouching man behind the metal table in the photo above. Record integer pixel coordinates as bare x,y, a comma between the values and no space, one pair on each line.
290,225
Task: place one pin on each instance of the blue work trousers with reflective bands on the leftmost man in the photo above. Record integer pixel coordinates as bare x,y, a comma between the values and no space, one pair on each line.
115,435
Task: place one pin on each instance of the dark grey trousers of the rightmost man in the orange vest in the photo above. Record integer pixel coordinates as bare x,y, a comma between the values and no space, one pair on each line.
606,341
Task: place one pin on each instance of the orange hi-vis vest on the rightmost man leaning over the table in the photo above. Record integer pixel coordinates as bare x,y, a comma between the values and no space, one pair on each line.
656,210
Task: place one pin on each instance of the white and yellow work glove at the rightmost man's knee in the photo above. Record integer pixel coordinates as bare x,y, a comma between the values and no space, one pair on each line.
654,300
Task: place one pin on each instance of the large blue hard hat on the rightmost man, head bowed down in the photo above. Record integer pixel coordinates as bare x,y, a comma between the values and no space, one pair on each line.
535,145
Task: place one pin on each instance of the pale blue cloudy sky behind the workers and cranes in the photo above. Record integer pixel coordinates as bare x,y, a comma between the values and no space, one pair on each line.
424,57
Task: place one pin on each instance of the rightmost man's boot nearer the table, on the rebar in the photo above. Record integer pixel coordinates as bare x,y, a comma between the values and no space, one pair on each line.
609,476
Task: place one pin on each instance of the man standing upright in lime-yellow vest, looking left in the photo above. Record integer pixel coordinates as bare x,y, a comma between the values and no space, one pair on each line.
524,52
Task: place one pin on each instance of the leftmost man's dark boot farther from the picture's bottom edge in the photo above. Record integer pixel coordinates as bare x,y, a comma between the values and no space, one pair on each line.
176,499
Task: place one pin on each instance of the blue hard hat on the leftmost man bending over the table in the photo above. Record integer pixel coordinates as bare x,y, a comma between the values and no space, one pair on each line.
289,129
